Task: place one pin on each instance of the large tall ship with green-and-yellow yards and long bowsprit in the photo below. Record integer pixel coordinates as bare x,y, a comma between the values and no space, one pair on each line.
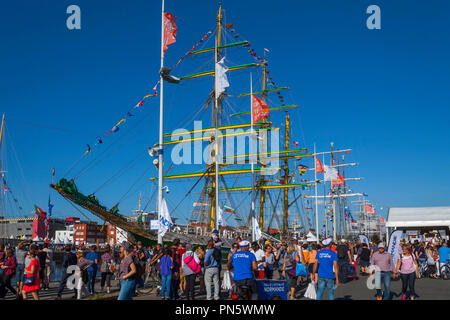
235,162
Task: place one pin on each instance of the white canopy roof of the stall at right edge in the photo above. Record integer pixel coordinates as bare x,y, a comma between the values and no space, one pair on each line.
418,217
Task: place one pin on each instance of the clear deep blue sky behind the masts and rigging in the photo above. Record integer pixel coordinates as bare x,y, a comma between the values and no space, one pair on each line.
384,93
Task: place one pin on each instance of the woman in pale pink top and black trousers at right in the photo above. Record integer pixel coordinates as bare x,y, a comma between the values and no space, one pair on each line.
408,268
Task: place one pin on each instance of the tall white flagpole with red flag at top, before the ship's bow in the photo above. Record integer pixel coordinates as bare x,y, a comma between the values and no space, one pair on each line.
161,117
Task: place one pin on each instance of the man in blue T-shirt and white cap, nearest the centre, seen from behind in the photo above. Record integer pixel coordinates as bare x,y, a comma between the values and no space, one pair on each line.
244,263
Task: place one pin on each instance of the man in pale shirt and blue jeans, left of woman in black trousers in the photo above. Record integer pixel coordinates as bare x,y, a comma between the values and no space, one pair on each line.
383,260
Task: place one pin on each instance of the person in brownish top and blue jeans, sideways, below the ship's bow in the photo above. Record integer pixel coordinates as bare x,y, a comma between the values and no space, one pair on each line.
127,272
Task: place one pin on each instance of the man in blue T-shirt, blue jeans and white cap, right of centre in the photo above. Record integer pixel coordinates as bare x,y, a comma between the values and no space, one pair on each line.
326,261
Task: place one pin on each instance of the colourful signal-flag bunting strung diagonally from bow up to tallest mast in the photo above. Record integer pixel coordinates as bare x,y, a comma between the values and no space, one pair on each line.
140,104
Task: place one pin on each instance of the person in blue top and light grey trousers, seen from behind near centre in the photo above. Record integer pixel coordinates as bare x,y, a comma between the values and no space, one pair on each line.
212,270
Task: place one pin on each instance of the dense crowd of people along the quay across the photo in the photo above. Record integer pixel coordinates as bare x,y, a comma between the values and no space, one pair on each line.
326,265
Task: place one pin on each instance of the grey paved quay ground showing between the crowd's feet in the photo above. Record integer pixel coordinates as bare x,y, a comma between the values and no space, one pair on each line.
426,289
